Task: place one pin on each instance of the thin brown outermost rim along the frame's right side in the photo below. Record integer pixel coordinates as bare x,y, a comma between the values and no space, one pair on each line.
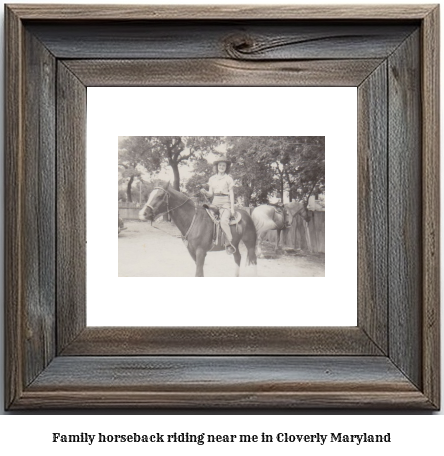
431,207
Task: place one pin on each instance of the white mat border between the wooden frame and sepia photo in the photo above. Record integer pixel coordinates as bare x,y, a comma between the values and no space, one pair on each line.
216,301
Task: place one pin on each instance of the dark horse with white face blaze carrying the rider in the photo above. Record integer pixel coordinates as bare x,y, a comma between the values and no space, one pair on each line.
197,227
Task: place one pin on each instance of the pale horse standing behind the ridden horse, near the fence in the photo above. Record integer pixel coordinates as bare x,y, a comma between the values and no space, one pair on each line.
267,218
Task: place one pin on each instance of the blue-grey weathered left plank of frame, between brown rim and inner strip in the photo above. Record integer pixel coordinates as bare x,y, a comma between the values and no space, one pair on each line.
39,207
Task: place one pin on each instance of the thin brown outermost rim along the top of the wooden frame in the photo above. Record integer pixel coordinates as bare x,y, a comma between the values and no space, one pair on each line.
220,12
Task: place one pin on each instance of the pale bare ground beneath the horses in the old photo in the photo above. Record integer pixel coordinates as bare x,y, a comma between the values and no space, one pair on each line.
156,250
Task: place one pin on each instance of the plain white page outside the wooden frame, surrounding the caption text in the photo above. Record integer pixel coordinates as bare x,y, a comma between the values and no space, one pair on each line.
414,433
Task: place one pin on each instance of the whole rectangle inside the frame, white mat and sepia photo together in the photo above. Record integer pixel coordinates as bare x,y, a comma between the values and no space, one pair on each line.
177,196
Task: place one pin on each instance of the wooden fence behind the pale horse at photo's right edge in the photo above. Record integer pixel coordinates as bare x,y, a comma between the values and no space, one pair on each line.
301,235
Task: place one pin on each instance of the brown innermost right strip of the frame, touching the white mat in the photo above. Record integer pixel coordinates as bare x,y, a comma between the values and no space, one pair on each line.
372,207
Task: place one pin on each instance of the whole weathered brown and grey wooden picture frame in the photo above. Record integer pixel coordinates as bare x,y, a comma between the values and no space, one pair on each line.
390,360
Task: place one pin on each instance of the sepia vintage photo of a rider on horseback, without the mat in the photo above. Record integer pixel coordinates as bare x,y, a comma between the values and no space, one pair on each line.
221,206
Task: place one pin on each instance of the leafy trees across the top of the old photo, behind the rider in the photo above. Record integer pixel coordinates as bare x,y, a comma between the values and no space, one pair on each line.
262,166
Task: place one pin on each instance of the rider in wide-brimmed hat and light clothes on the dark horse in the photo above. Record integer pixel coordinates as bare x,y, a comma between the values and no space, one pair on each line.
221,190
